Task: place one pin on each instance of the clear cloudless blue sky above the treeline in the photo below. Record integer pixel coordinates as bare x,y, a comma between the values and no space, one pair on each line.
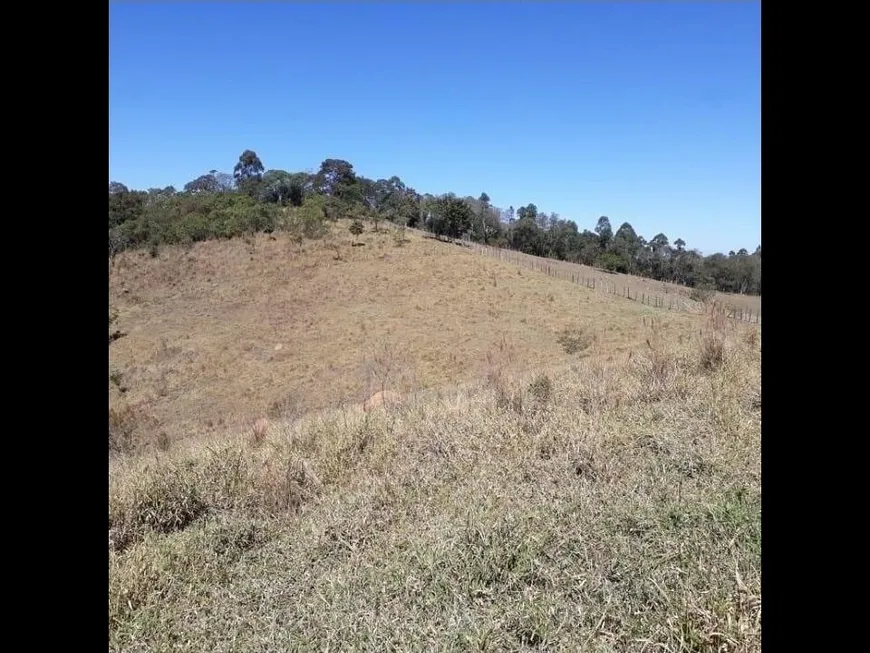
645,112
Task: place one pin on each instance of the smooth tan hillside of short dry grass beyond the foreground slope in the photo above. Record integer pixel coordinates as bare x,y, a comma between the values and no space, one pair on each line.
227,332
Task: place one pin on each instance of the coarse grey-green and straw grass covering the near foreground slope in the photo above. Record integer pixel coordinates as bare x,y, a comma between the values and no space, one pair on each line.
592,512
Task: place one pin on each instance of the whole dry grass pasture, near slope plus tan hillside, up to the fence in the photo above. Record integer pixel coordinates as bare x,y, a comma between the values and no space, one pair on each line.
568,471
